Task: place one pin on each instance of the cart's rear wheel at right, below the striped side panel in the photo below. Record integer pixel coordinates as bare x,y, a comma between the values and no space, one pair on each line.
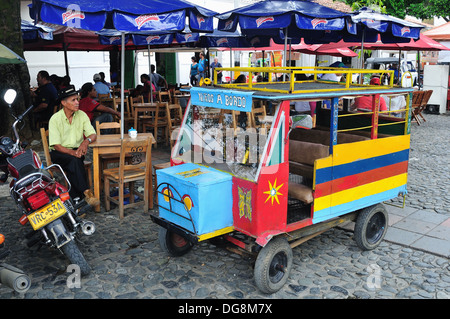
371,227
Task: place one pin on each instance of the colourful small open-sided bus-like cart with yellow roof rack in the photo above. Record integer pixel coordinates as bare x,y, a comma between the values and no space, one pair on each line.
269,165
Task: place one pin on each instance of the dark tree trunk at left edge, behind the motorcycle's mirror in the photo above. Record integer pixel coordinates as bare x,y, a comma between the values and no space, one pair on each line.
15,76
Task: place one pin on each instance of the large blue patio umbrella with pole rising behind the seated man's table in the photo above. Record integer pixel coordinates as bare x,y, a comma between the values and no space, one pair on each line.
128,16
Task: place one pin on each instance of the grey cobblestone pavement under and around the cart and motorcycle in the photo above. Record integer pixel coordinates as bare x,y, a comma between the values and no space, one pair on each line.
128,263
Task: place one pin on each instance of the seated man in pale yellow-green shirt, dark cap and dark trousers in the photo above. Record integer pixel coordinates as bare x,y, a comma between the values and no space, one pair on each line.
67,131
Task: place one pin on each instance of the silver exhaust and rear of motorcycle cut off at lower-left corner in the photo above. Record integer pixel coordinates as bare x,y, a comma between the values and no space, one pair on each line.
10,276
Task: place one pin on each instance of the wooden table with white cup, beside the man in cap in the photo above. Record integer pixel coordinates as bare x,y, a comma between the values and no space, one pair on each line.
110,144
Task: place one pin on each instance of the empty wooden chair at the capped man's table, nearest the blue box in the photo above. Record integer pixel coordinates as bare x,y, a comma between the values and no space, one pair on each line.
129,174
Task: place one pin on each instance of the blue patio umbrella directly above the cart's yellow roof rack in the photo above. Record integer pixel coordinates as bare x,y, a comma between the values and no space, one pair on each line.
295,19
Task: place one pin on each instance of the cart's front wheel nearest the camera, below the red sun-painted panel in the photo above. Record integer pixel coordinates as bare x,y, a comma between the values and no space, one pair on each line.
273,265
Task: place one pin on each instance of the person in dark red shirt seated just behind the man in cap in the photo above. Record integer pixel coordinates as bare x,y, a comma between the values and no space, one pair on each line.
90,106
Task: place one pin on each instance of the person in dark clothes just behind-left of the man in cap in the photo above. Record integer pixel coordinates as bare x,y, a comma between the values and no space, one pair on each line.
44,98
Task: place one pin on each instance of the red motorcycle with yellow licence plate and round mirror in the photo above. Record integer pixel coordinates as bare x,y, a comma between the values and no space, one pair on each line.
44,202
